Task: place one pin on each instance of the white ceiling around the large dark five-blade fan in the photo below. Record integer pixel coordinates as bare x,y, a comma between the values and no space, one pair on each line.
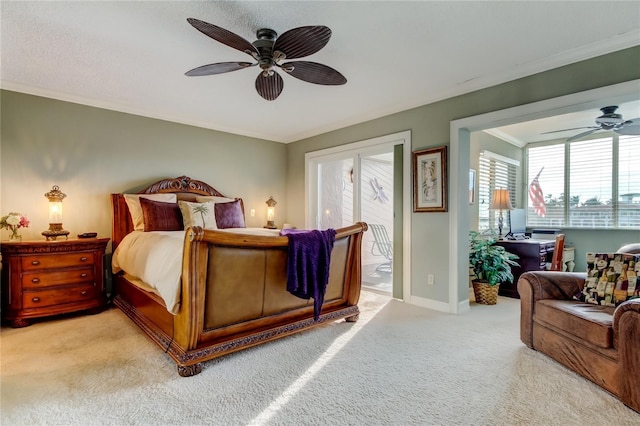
132,56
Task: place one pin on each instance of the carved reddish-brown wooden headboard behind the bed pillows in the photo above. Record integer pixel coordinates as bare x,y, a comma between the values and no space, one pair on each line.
184,187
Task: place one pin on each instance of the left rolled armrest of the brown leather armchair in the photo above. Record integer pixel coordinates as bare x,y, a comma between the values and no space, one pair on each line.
537,285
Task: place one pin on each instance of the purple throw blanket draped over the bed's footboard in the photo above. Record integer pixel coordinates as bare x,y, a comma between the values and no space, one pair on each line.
308,261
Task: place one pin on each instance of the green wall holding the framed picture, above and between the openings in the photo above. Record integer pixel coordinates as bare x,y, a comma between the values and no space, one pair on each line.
430,126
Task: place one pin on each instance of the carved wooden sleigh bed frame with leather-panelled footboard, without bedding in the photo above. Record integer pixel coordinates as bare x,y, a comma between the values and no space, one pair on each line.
232,288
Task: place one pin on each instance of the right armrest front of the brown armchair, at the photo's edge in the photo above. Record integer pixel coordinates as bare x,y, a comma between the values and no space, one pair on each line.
626,338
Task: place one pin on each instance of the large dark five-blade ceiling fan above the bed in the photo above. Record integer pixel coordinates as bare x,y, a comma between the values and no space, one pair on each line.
268,51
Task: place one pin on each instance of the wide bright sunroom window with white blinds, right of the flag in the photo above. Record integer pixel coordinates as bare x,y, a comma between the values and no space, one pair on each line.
587,184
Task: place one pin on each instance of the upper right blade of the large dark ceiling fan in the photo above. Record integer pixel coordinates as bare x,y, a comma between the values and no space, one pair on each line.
302,41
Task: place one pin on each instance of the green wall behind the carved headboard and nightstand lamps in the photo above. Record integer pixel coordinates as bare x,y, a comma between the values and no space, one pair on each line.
92,152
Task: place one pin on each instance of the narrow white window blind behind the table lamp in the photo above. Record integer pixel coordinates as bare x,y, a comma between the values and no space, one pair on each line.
495,172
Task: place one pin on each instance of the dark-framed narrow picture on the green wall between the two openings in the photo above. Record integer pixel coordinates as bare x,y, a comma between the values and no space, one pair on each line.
430,180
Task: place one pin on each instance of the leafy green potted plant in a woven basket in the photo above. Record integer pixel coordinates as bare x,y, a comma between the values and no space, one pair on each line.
491,265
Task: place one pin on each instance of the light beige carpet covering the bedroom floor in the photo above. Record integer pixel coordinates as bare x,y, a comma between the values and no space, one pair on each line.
398,365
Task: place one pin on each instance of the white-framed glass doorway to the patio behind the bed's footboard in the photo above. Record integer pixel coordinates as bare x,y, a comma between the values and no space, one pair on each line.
364,181
